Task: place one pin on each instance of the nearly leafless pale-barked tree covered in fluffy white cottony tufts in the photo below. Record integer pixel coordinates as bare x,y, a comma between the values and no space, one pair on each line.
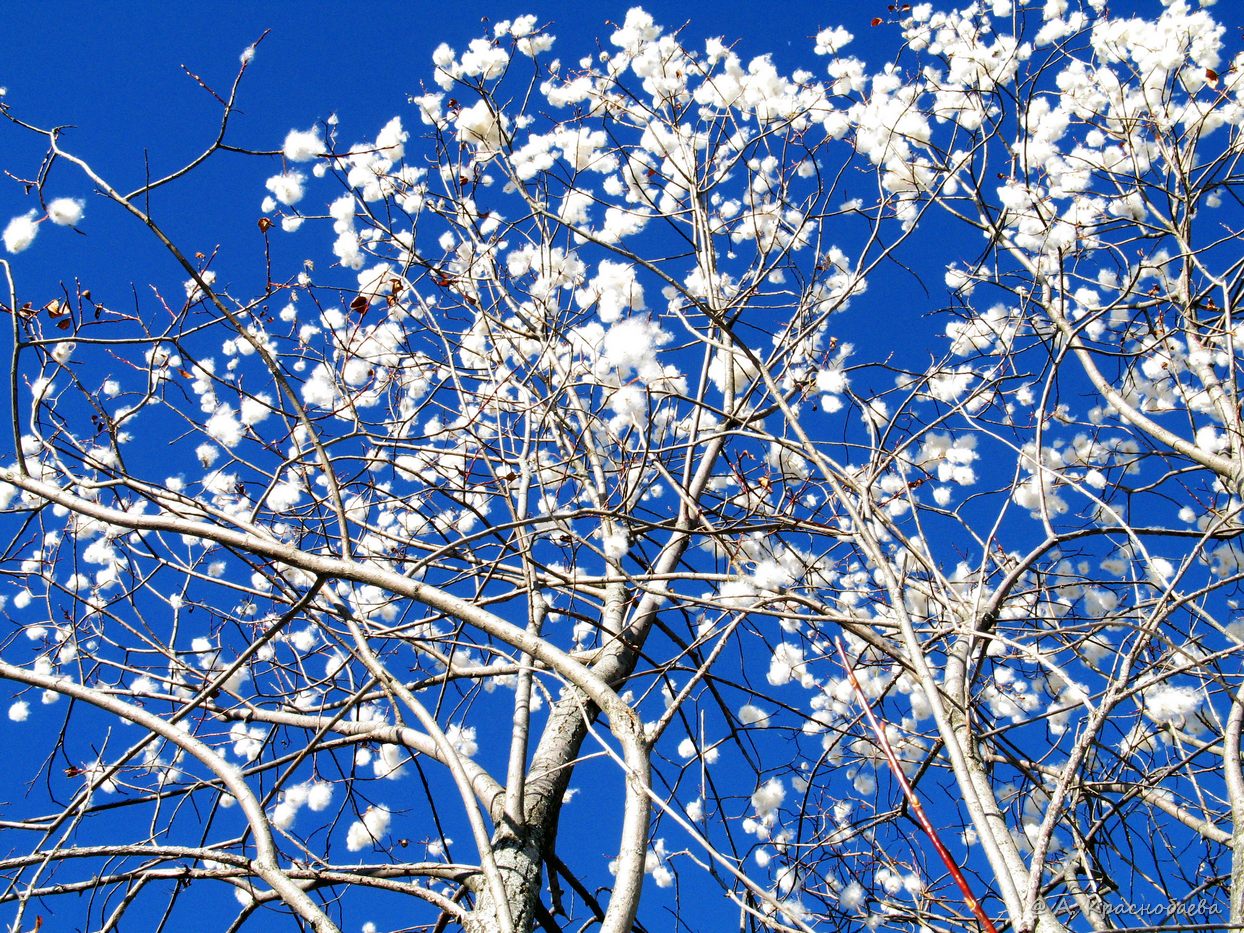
555,504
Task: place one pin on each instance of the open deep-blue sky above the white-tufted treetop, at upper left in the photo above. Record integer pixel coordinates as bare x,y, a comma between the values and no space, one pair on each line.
115,70
